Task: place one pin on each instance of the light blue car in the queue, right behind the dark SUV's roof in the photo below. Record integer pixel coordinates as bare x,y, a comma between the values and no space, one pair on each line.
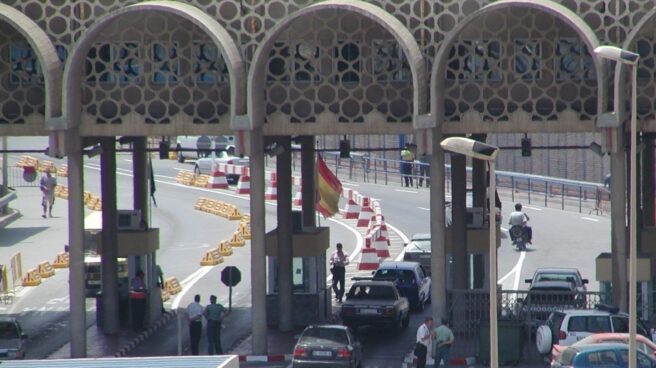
411,280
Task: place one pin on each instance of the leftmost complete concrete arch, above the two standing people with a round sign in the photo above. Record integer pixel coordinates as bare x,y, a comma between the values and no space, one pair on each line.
74,70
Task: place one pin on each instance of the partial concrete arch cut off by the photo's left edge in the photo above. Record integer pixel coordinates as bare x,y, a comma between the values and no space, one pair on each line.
45,52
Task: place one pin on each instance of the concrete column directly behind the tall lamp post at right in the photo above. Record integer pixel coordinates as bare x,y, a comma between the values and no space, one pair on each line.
618,197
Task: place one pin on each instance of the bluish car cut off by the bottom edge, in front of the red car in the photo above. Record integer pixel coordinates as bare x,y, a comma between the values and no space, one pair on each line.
607,355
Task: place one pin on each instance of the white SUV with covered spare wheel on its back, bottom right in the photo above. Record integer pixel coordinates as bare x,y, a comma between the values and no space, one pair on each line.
569,326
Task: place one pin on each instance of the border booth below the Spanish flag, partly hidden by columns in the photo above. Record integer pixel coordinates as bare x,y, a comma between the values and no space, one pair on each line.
311,299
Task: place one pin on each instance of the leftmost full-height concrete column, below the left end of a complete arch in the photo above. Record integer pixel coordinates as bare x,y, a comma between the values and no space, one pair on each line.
78,328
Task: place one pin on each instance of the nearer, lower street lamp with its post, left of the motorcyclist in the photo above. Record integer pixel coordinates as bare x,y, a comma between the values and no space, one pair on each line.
482,151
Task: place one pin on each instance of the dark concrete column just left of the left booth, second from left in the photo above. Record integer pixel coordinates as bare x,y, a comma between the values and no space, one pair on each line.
109,254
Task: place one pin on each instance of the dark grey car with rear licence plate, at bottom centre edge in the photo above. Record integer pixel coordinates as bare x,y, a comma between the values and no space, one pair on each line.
327,345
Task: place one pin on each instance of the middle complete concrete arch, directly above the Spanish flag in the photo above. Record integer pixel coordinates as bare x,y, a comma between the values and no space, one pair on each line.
257,72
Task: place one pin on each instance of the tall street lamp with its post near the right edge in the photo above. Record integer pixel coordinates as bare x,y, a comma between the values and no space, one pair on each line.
631,59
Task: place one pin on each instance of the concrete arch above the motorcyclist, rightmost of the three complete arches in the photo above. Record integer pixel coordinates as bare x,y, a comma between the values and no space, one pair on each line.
554,9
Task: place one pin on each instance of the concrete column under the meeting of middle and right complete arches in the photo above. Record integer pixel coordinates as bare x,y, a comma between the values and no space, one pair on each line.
437,228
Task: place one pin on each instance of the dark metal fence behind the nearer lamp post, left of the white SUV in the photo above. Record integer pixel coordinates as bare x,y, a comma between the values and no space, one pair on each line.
468,312
